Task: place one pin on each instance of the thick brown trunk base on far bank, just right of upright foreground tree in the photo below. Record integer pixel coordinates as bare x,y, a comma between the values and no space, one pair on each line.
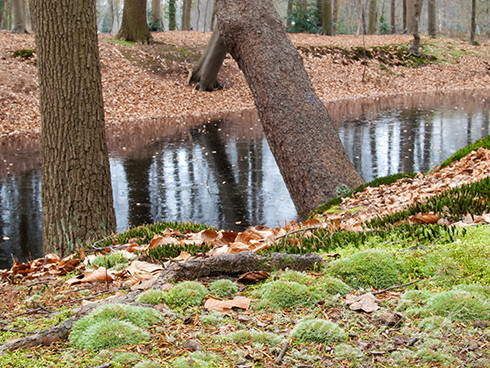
134,27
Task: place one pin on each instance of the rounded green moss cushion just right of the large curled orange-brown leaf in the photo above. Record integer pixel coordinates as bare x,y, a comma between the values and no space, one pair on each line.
287,294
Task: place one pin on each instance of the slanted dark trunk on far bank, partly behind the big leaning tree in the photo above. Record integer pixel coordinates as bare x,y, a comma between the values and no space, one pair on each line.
205,73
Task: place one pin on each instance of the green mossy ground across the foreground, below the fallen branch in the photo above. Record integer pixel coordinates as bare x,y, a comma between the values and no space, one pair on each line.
432,332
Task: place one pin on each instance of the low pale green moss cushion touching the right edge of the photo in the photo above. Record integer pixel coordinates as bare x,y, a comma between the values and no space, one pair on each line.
460,305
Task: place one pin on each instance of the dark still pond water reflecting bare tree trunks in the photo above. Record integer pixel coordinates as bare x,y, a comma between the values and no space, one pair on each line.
221,172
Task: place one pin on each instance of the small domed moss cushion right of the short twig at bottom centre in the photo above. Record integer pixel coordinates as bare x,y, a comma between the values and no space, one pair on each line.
318,330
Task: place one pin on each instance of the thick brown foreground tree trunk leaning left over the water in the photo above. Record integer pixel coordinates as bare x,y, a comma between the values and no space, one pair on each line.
302,138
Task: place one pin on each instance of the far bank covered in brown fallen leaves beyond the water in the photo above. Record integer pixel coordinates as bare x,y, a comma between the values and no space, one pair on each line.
150,81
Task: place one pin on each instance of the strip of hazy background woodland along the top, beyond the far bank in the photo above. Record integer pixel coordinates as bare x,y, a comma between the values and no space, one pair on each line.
452,17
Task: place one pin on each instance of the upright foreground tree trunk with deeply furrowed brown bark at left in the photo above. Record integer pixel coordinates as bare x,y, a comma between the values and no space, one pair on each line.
76,183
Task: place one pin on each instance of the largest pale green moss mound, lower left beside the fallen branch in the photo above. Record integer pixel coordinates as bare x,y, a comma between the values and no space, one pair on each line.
88,332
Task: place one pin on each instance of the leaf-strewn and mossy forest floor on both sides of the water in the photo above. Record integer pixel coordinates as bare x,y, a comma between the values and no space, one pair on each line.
436,256
